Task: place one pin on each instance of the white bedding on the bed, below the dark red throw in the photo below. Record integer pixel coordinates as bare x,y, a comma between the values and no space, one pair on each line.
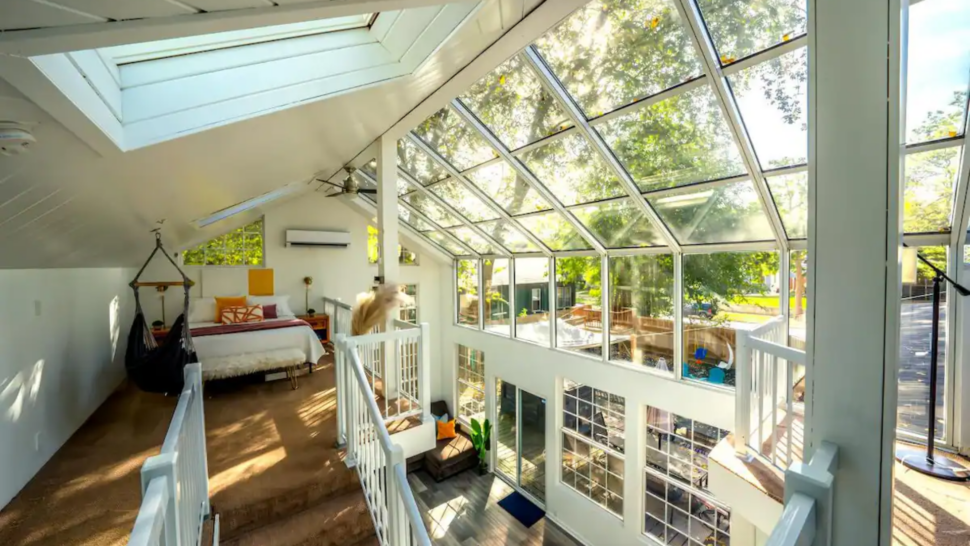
223,345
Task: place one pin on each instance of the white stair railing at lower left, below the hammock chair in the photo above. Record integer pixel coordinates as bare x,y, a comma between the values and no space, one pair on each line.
175,483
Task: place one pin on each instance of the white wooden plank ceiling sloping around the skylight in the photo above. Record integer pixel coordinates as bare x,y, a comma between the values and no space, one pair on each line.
65,205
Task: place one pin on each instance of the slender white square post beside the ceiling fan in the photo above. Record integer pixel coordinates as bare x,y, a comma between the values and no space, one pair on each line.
388,266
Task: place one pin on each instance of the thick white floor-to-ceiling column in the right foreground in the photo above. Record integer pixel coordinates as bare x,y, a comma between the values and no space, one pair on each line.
855,195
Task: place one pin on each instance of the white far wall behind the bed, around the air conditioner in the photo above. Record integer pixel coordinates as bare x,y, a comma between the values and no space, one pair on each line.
337,272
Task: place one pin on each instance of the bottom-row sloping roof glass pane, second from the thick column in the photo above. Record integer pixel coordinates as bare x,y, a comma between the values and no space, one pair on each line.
728,213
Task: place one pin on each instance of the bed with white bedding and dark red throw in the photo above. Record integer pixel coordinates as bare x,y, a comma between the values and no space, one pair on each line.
231,350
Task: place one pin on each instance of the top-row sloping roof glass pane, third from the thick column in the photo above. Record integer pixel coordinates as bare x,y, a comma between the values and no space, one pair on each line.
513,104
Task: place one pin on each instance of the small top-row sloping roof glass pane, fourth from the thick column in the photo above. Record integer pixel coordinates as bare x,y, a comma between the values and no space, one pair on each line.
454,139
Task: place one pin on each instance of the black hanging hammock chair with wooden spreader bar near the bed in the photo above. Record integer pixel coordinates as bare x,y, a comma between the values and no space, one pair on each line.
151,367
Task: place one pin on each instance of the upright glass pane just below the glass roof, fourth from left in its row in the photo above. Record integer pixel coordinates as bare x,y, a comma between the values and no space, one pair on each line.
579,304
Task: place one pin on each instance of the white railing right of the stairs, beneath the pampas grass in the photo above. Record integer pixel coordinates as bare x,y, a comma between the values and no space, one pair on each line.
380,464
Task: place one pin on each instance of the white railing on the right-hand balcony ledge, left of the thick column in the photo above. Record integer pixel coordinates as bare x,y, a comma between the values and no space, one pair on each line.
766,412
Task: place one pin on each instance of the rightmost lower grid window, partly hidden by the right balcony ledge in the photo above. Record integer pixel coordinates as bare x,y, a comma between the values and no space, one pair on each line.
679,508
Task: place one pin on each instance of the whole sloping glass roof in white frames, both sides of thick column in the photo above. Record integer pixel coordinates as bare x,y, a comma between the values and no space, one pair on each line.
619,140
